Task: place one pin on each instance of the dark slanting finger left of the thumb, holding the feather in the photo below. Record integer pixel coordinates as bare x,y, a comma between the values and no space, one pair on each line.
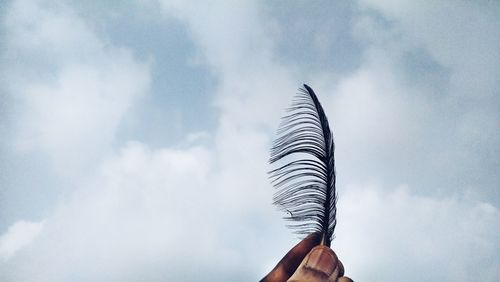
289,263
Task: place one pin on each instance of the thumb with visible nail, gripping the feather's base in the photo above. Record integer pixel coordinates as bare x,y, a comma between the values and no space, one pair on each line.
320,265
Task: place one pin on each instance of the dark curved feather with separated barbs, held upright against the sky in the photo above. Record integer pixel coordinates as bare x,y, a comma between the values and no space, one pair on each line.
304,168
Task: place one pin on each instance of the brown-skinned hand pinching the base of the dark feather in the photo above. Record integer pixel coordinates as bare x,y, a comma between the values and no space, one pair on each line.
308,262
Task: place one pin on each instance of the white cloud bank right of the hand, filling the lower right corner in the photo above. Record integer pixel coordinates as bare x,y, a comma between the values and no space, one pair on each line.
395,235
